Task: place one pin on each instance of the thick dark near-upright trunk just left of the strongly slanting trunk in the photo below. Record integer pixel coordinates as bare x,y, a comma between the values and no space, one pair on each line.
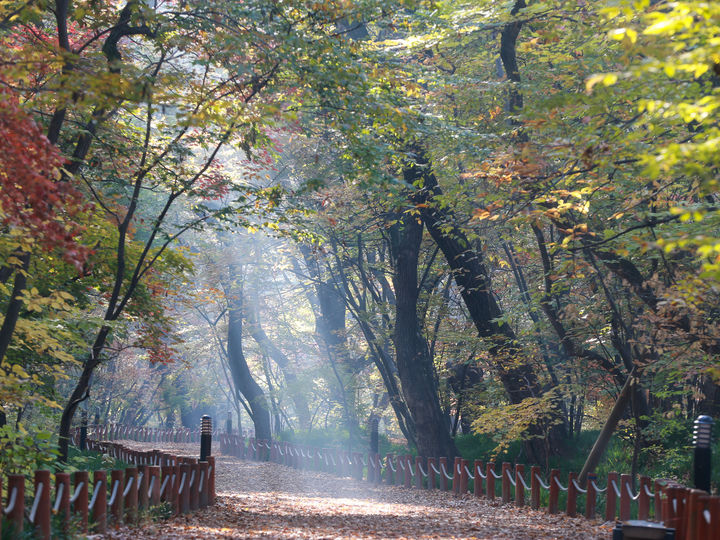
415,366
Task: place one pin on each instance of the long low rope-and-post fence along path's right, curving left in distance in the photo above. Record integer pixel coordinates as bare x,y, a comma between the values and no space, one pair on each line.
693,512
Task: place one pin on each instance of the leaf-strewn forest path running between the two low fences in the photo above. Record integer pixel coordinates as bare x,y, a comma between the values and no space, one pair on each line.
267,500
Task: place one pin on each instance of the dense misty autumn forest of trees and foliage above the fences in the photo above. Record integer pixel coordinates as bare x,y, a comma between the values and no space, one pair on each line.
489,227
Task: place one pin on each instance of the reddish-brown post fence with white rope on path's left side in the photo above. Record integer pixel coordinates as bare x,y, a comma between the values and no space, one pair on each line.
151,479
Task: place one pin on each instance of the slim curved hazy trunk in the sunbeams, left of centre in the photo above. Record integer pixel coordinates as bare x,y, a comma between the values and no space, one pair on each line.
242,378
